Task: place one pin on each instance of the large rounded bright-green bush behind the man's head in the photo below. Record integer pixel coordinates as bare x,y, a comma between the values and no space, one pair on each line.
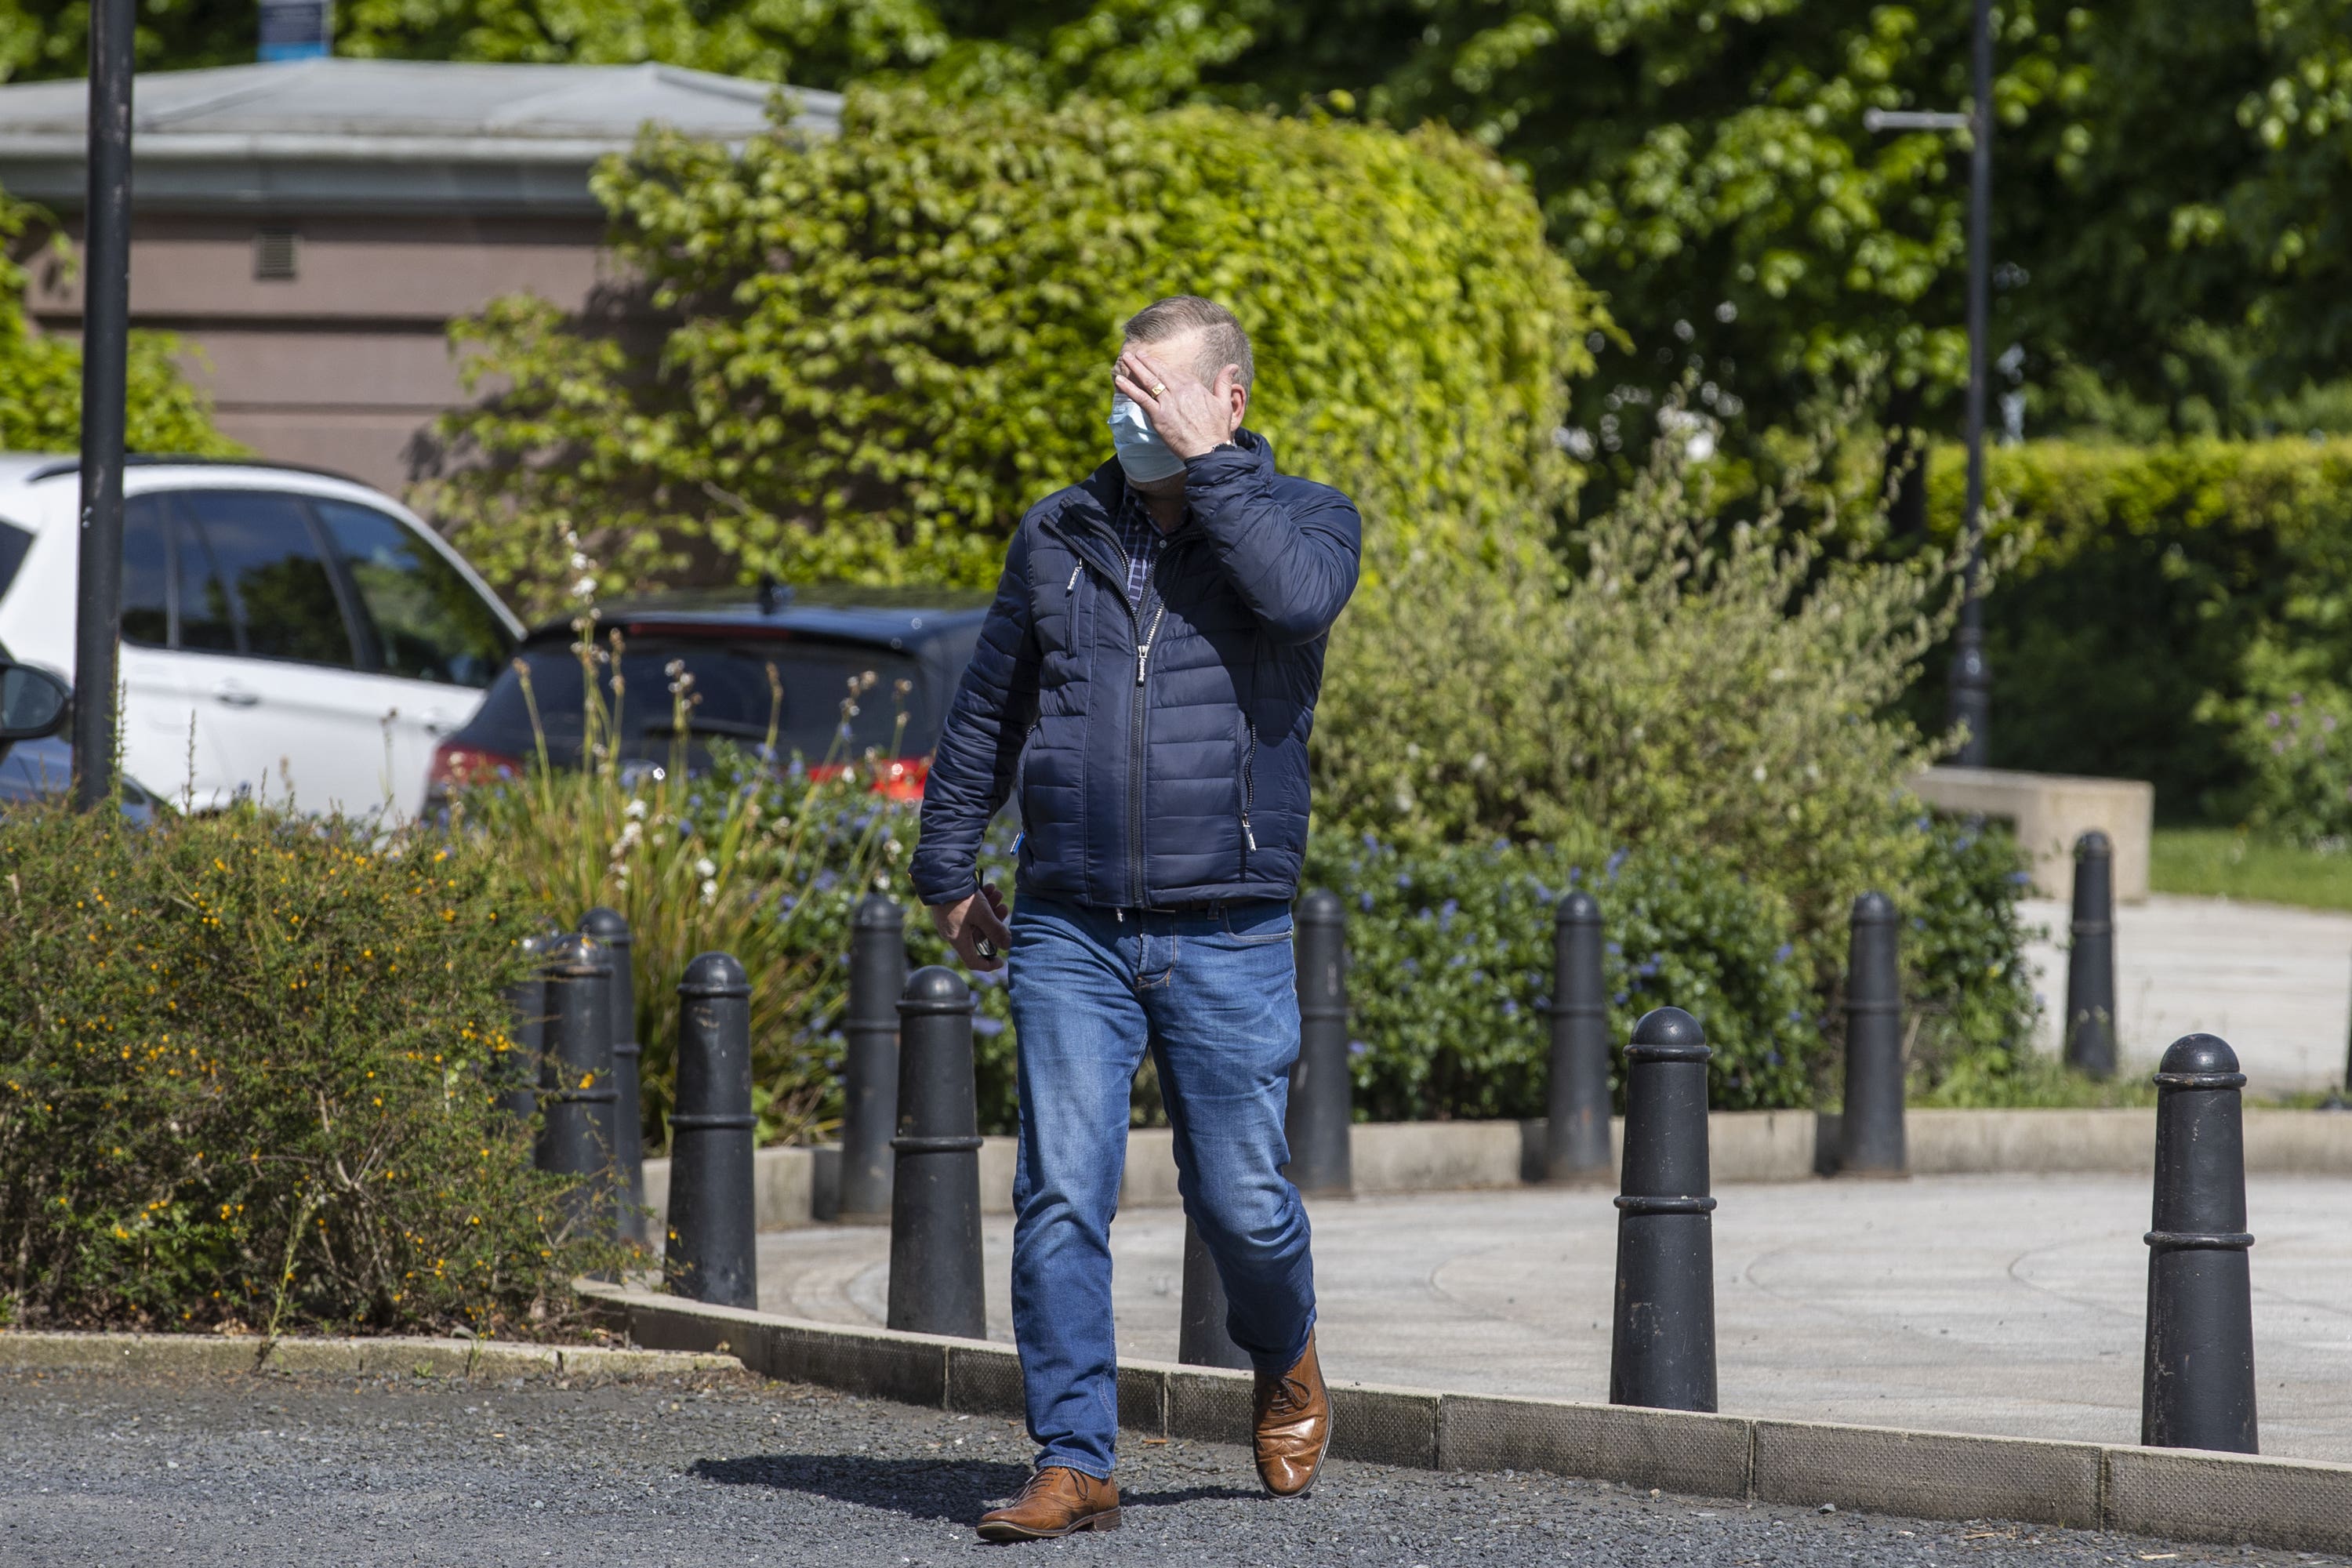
890,344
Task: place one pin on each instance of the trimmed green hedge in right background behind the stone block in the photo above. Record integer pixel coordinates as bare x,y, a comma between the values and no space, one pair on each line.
2165,596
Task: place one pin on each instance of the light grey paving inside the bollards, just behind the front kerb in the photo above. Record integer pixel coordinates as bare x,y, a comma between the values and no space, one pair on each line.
1965,1304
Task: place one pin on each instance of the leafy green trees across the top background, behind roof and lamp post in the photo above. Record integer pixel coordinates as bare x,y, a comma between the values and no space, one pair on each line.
2170,194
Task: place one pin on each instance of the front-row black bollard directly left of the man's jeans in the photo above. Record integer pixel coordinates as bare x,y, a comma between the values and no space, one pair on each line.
935,1212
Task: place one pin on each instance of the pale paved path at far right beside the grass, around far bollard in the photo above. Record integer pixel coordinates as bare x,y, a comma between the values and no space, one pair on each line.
2273,981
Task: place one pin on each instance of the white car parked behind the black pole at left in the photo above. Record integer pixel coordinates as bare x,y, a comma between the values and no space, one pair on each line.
286,634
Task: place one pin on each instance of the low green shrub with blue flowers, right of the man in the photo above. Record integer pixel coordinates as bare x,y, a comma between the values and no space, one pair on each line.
1452,998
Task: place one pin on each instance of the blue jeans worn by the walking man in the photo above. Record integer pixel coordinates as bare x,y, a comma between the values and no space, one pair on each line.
1215,1000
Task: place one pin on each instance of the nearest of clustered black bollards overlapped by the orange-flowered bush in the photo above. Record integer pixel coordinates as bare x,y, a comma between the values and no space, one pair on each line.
575,1078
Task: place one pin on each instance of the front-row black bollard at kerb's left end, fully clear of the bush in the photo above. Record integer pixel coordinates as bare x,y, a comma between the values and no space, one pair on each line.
711,1235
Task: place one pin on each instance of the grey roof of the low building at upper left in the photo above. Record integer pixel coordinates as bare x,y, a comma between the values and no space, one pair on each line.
375,135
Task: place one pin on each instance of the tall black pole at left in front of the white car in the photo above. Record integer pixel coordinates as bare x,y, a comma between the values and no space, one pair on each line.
107,321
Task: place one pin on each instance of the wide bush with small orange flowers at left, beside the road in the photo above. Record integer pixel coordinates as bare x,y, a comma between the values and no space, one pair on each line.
243,1085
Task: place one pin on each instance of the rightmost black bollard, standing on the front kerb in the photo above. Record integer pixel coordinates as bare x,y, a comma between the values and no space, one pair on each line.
2198,1388
